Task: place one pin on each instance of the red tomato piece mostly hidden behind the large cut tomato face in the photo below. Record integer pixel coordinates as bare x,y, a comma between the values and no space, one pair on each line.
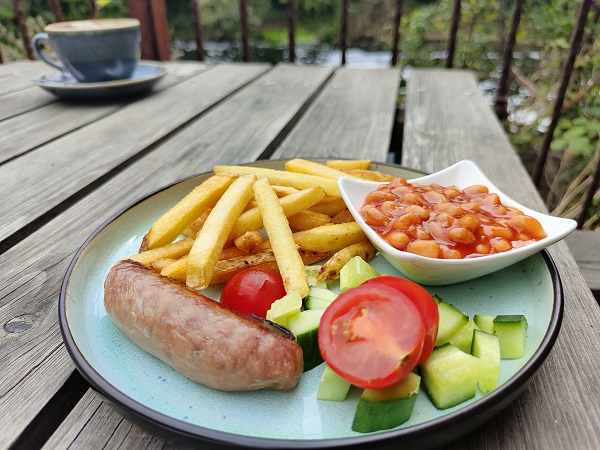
424,303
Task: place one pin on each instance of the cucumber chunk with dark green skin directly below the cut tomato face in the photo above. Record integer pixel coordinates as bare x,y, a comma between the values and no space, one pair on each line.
382,409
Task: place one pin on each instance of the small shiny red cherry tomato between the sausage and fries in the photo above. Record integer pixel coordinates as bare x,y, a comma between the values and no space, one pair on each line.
252,291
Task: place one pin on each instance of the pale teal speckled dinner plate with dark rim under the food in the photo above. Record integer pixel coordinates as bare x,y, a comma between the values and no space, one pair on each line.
152,394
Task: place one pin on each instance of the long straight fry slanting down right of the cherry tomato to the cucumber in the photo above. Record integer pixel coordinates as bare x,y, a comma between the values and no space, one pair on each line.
291,266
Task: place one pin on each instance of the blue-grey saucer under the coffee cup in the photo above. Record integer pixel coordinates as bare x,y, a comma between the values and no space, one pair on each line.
144,77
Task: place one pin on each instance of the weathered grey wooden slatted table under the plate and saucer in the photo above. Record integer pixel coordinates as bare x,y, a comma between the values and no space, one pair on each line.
65,167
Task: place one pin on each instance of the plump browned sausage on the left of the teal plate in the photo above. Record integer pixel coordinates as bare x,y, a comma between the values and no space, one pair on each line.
202,339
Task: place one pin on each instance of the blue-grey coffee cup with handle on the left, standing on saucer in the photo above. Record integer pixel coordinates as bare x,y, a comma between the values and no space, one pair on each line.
92,50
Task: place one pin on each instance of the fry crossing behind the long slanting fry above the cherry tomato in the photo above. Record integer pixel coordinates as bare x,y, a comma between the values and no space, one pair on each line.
292,204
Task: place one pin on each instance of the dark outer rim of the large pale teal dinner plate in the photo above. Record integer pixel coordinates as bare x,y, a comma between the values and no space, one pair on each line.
430,433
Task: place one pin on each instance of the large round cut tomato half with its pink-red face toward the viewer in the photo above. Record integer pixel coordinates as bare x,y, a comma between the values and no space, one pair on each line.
371,336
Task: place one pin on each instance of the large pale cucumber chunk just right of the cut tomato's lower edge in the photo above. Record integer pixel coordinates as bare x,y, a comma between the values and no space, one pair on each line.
450,376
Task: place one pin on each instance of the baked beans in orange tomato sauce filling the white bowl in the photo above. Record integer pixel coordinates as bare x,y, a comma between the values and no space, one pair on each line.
447,222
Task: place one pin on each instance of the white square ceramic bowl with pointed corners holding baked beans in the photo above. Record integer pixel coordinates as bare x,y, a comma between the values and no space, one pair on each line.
436,272
